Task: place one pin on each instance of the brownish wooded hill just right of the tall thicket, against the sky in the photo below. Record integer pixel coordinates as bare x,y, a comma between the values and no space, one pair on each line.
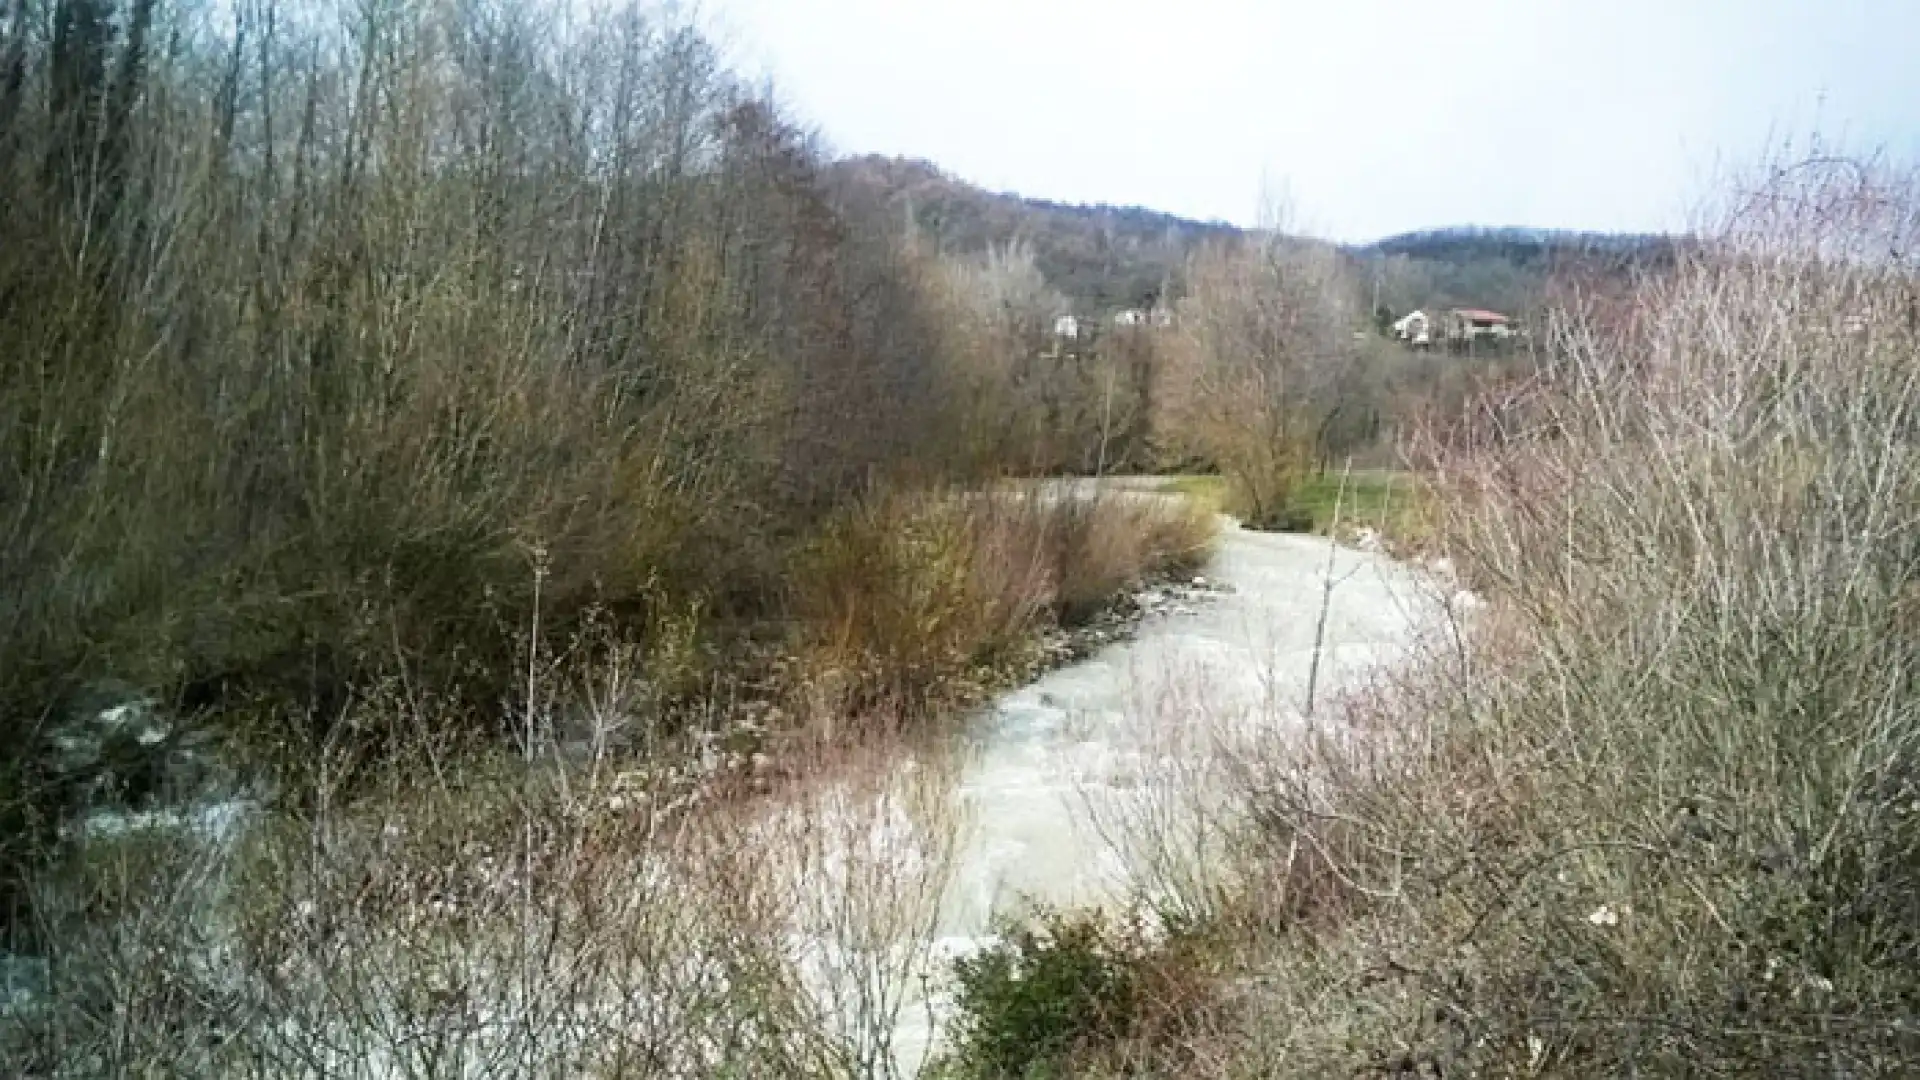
1101,257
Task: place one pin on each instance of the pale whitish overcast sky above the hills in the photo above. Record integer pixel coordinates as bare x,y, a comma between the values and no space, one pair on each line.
1358,118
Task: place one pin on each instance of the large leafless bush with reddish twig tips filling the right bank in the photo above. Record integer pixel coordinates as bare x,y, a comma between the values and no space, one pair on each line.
1660,816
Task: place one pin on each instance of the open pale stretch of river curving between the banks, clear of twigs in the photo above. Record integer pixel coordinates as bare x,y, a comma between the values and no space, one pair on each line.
1099,731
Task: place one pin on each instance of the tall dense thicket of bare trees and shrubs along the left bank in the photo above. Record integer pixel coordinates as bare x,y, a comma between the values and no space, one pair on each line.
348,347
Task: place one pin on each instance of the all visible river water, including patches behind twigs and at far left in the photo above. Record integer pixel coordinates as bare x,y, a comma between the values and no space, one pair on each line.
1049,764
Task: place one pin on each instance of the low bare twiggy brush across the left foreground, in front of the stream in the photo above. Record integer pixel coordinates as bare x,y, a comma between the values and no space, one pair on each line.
521,920
